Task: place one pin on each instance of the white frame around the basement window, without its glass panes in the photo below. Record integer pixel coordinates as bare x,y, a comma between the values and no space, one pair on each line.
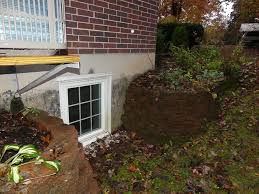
105,79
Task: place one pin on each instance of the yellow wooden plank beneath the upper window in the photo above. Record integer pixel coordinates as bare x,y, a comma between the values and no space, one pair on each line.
37,60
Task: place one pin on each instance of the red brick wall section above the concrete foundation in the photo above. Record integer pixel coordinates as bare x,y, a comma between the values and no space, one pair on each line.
104,26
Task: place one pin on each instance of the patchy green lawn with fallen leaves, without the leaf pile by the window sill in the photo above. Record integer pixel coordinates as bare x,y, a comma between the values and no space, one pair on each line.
224,159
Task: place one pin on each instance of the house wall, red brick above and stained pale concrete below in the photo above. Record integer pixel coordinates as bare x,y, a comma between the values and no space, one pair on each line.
109,36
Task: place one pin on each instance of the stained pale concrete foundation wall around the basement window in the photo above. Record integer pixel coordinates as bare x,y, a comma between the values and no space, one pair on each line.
124,68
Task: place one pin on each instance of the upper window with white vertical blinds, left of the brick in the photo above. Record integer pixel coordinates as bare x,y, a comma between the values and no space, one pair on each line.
37,24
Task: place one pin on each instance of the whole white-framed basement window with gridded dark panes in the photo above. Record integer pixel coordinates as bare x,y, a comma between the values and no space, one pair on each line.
85,102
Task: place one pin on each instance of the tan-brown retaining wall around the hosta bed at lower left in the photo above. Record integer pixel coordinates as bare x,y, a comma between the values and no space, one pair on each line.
76,175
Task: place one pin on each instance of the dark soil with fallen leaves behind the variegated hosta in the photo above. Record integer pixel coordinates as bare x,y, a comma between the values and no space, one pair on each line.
16,129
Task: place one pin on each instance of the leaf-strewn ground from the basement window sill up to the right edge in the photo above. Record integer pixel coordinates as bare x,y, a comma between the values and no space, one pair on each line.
224,159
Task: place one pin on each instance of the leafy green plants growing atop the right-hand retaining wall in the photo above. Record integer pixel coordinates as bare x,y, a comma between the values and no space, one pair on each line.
200,67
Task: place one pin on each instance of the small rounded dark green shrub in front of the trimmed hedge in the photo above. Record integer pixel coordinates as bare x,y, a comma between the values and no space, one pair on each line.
180,37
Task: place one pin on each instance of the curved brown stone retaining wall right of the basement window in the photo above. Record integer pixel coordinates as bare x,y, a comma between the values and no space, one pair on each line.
159,116
